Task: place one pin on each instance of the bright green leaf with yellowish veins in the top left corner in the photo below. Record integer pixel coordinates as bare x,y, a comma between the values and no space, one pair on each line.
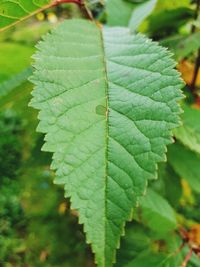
12,12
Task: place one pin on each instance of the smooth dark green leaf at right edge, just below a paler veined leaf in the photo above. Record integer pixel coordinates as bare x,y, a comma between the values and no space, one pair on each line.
186,164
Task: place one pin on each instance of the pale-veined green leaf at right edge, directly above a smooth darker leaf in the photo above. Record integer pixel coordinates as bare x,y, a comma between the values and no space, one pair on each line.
189,133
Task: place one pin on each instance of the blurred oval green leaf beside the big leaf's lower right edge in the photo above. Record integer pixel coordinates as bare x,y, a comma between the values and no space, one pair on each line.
155,212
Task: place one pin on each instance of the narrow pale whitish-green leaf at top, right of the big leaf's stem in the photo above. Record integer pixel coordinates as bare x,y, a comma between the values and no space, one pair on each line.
140,13
